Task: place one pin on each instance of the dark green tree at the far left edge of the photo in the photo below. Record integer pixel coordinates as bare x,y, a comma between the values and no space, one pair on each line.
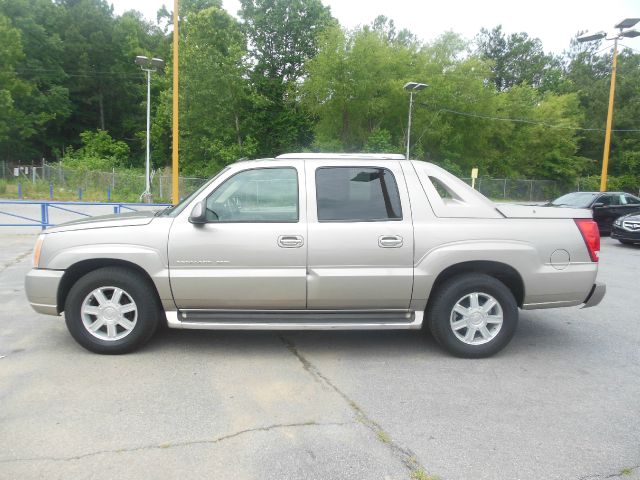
34,103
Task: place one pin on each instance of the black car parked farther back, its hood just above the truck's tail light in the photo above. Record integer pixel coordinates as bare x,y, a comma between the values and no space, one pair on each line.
606,206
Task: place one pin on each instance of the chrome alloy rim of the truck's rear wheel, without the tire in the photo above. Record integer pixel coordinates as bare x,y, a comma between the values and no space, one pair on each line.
476,318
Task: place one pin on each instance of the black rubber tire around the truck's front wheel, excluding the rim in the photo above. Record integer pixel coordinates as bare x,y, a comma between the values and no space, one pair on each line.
136,288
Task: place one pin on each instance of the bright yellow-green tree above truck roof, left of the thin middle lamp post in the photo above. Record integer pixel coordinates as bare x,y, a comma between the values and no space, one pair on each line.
354,87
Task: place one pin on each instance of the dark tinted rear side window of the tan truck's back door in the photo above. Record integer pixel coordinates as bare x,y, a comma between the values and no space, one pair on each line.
357,194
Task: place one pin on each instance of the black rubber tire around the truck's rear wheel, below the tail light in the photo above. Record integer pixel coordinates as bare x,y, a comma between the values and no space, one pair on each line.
444,299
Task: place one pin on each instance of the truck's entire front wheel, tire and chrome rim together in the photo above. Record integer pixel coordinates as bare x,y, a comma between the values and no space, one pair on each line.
111,310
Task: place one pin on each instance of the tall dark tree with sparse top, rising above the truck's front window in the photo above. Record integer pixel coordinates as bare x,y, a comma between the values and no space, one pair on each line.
283,37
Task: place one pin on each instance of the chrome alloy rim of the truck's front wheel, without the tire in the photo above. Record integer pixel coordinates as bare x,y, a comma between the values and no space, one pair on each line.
109,313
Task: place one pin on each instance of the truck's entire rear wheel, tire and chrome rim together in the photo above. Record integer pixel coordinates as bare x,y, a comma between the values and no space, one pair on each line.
472,315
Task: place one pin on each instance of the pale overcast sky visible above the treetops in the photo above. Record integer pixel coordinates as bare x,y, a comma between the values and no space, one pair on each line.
554,22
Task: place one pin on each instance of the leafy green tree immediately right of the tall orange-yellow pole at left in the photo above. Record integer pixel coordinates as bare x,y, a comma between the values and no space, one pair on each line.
214,92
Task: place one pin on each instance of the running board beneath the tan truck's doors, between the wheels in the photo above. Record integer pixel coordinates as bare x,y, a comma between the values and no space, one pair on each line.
294,320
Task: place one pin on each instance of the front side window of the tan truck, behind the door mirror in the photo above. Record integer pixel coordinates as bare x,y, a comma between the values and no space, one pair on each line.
257,195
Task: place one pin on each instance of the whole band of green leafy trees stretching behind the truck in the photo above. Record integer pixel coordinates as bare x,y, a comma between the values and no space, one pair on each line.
287,77
